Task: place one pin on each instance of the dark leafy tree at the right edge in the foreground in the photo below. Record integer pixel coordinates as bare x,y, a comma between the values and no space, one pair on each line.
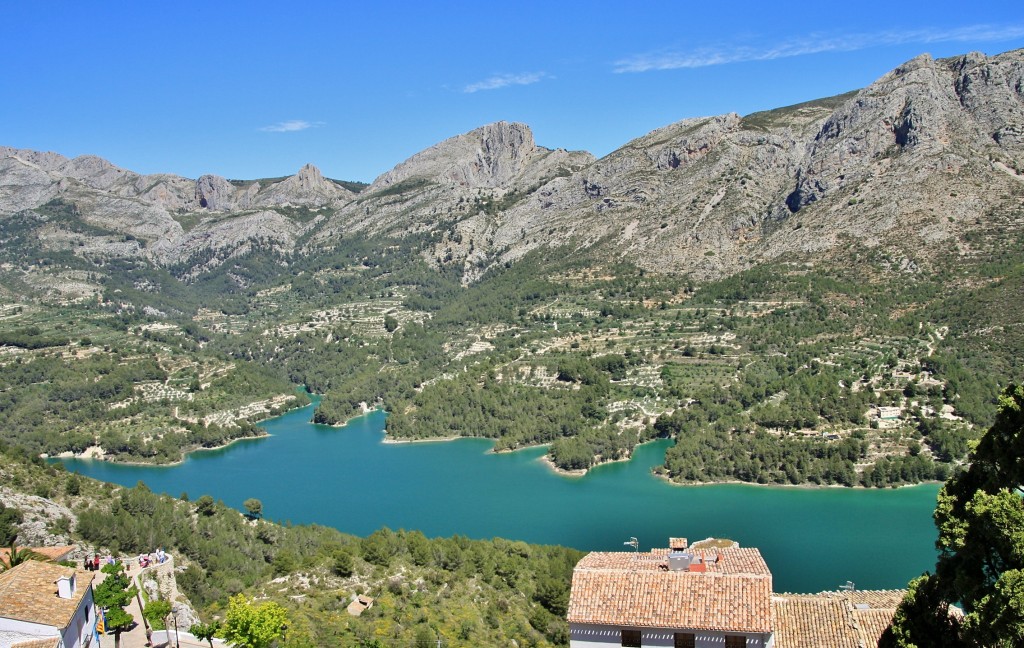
980,517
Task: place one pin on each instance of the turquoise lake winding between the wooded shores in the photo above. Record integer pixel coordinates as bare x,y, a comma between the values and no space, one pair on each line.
813,539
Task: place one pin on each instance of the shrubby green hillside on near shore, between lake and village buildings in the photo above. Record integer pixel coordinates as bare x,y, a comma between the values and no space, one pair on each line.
466,592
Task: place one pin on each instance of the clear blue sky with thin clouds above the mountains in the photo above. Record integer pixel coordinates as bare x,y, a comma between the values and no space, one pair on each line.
258,90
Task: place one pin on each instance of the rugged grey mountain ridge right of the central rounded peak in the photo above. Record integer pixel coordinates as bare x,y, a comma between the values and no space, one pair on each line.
929,151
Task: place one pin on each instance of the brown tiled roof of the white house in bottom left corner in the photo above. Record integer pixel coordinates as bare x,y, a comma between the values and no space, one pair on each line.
29,593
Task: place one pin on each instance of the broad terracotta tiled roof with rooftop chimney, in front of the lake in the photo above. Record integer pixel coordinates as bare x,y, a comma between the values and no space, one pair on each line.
636,590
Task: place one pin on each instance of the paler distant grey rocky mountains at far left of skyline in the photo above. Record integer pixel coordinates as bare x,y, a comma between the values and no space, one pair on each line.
164,220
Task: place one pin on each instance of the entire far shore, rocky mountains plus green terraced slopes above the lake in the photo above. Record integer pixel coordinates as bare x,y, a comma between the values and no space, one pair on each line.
719,282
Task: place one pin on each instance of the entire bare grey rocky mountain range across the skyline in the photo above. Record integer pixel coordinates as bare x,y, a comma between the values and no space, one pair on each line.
931,151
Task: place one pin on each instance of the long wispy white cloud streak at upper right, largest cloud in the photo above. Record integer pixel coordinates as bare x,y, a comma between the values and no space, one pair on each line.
814,45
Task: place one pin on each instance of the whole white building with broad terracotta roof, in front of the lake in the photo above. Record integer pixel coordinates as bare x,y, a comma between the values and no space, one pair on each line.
673,598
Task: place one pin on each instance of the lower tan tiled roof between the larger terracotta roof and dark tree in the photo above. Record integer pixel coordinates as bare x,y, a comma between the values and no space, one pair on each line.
834,620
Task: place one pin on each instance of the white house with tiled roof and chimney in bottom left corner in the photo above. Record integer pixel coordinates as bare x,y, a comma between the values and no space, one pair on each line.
46,606
